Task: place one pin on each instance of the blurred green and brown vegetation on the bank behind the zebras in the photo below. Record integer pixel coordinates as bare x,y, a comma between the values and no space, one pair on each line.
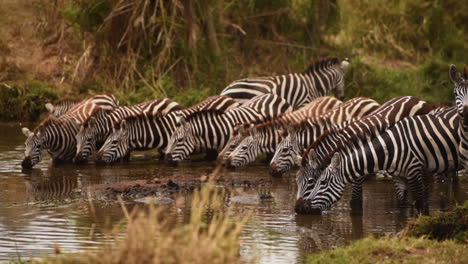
187,50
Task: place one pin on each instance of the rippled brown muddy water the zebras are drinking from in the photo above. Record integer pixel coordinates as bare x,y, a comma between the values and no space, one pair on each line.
43,208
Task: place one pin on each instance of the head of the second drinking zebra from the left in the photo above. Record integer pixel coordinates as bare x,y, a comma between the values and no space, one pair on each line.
86,140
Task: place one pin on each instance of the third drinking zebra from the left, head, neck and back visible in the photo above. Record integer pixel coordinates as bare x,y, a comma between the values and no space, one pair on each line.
149,129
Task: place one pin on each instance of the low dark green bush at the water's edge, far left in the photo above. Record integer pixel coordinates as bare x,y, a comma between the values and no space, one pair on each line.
24,101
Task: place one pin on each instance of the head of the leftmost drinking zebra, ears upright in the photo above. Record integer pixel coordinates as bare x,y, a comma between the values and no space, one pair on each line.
35,143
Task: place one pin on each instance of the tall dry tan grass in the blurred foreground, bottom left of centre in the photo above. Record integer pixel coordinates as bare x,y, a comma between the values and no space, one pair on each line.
210,236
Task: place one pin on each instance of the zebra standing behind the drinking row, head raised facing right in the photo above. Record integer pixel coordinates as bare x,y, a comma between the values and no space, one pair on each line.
297,89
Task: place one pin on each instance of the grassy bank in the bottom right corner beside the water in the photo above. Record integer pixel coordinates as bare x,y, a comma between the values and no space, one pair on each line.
442,238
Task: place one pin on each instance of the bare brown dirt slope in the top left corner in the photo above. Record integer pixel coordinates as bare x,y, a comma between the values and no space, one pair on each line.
34,44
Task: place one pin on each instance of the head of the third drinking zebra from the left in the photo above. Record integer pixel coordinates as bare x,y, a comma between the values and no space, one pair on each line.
116,146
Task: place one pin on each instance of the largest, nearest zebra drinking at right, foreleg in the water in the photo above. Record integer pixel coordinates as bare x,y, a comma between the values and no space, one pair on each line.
413,149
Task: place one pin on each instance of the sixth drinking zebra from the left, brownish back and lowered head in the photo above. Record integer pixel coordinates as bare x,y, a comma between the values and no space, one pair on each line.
302,134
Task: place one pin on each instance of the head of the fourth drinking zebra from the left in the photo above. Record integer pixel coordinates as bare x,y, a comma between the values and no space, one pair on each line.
182,142
